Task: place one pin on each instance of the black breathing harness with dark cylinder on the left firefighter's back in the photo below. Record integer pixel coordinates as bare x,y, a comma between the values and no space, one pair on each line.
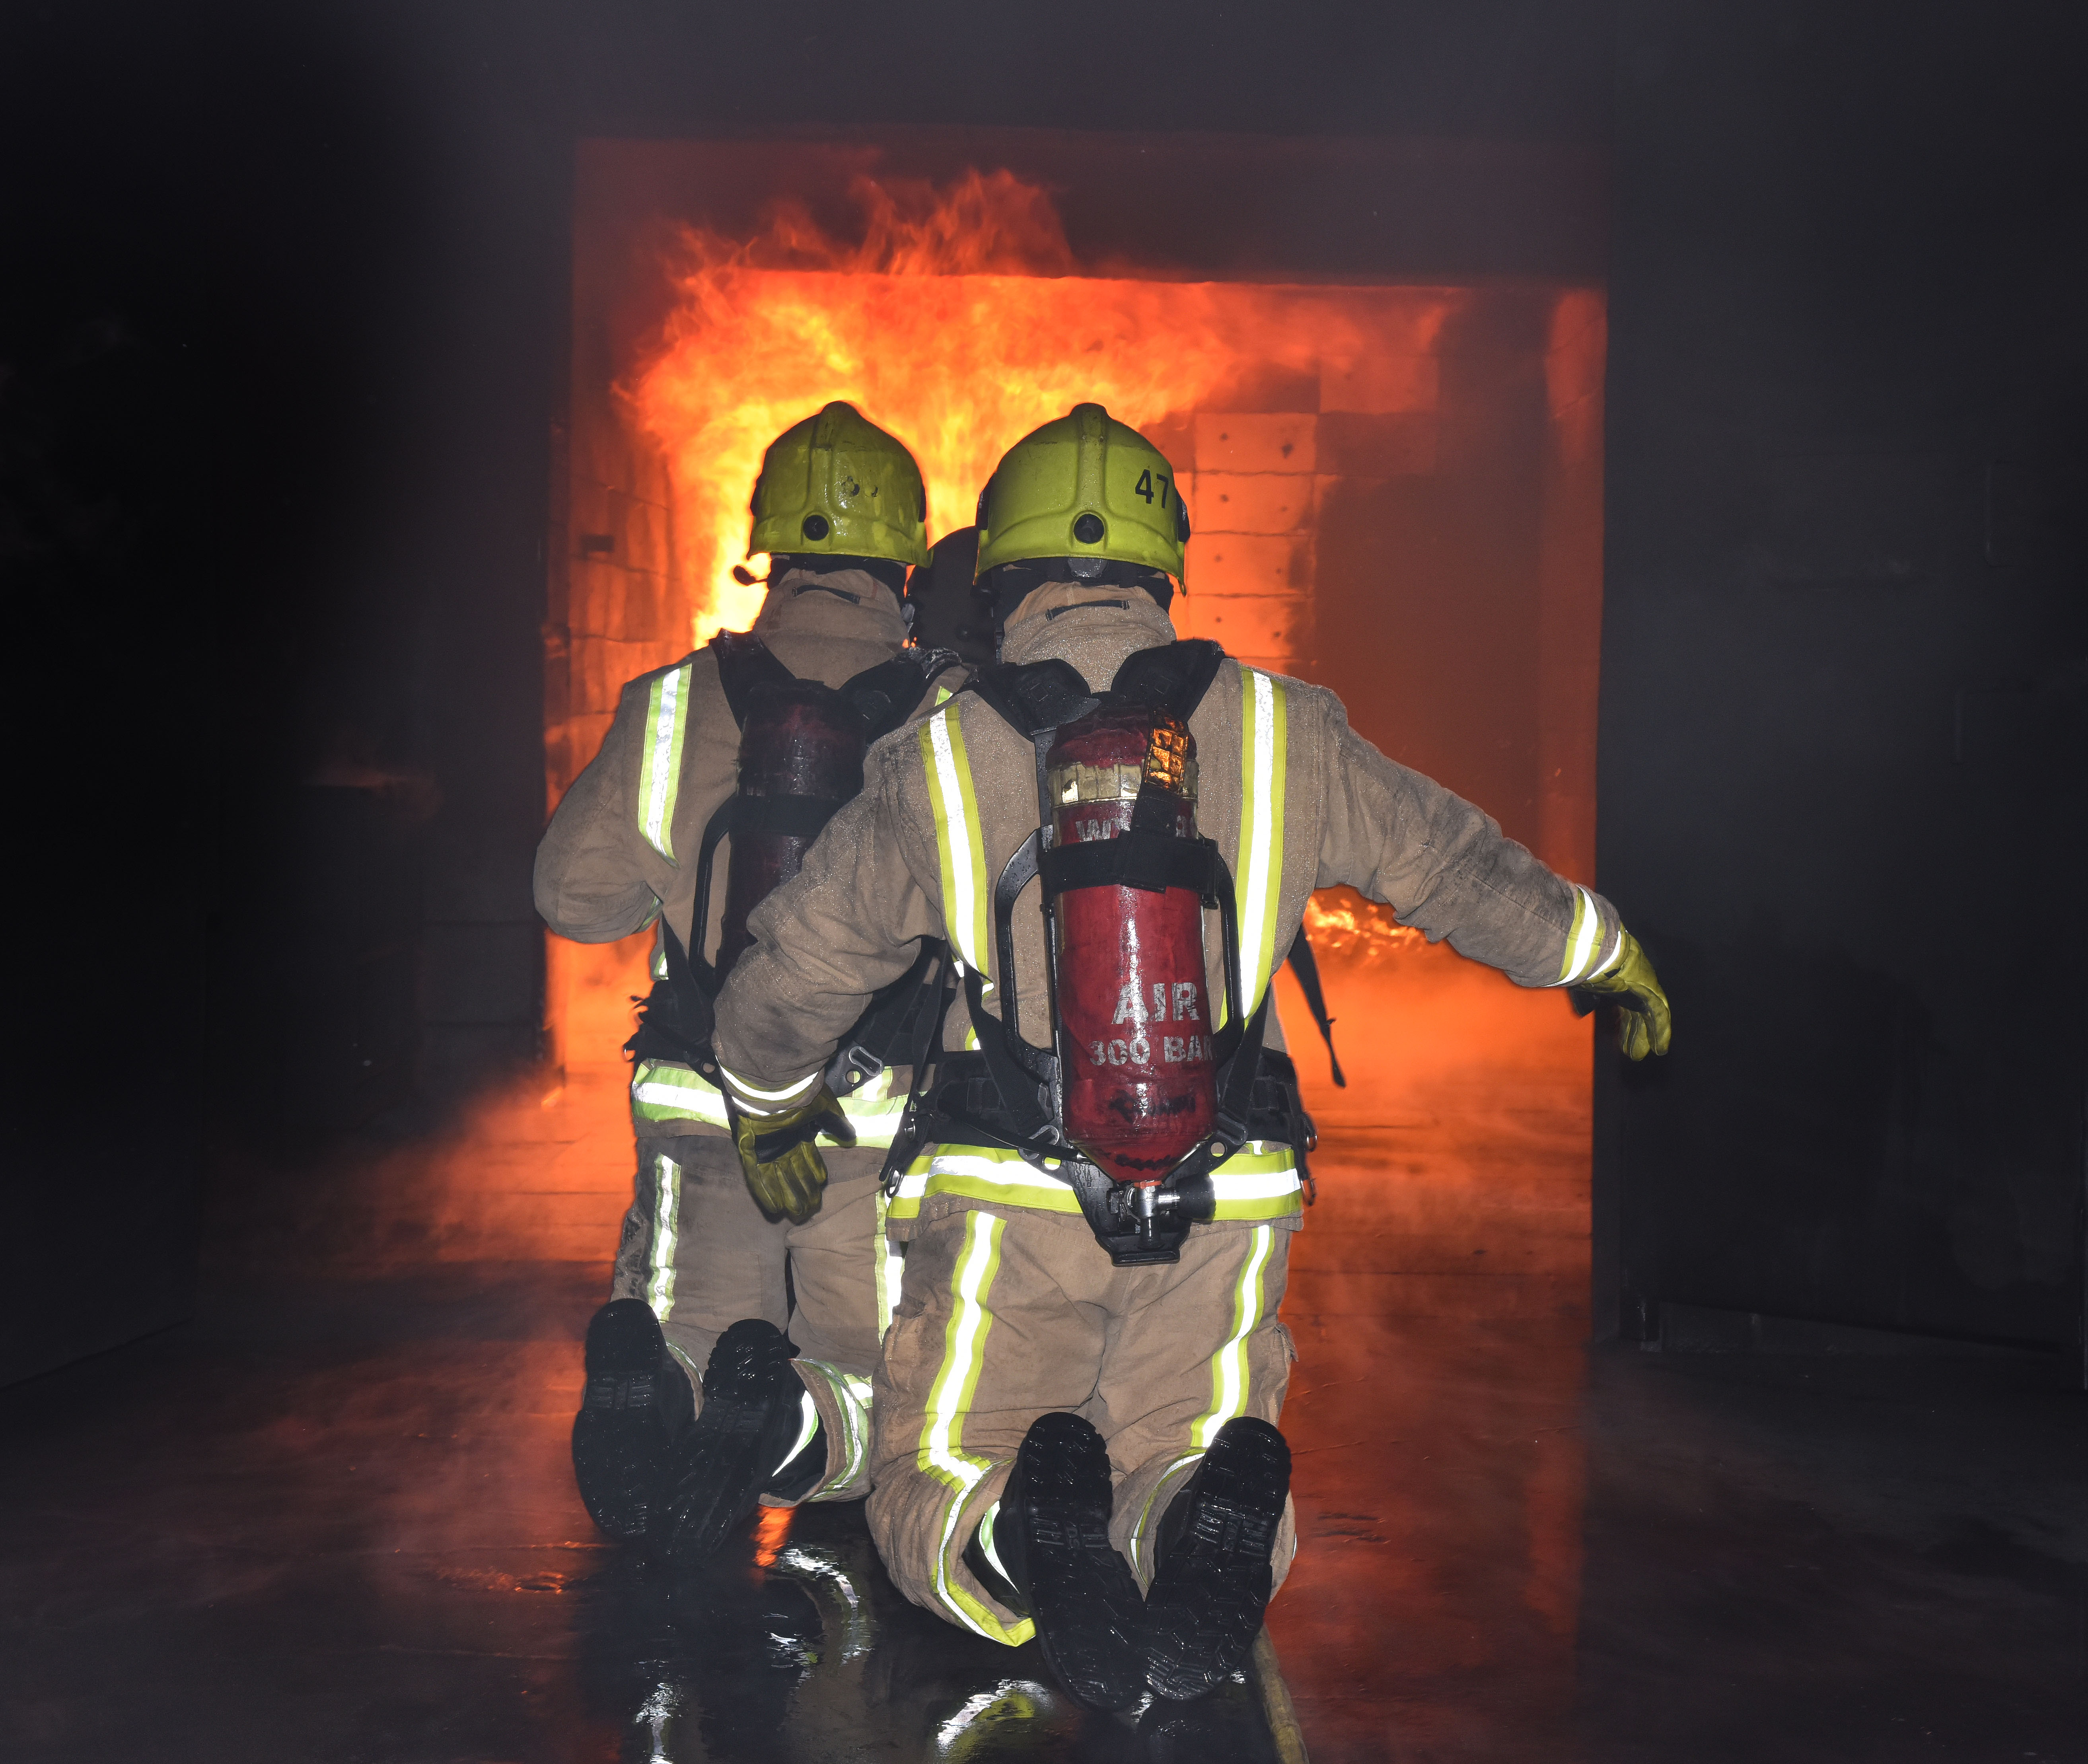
801,761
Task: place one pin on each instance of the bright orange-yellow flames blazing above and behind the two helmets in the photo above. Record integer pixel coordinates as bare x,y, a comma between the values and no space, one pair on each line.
953,323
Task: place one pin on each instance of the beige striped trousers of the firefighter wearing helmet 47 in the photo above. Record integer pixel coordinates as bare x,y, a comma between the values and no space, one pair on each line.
1012,1312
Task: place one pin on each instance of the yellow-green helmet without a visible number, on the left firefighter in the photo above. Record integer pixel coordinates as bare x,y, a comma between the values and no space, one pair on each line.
838,483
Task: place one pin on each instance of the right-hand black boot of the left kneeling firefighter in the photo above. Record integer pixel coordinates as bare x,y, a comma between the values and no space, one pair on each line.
744,1435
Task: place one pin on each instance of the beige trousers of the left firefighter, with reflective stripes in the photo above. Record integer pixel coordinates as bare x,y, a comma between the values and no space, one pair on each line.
703,1256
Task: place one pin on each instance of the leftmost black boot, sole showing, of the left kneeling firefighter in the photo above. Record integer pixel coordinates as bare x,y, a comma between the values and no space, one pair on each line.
636,1408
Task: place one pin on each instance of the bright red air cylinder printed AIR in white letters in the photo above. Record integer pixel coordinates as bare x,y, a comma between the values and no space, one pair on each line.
1141,1087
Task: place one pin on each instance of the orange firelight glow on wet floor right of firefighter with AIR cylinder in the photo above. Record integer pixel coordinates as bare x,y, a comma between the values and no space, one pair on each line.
1440,1308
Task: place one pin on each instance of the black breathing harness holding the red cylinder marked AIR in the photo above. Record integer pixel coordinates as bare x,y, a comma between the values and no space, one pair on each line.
1143,1093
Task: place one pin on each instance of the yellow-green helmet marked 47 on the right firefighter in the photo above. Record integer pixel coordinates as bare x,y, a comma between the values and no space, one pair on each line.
1085,487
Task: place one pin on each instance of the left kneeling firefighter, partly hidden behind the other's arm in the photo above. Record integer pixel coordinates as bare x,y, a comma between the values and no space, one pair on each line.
709,788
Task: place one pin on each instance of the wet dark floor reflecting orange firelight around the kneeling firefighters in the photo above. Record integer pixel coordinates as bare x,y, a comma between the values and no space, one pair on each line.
333,1519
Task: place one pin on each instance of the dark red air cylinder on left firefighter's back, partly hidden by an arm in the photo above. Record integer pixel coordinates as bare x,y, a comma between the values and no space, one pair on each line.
801,740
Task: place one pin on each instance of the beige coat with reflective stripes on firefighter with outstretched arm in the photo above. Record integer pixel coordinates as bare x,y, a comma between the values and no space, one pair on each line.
1294,798
